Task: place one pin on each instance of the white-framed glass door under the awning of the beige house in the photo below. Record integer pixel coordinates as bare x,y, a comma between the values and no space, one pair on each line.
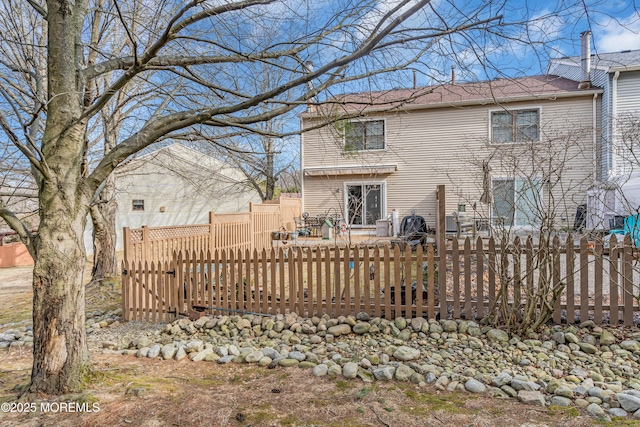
364,204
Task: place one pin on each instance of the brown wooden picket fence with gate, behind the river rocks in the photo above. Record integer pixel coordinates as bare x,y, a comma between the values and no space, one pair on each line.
599,283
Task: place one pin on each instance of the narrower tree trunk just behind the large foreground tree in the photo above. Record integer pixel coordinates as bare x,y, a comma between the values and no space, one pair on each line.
103,217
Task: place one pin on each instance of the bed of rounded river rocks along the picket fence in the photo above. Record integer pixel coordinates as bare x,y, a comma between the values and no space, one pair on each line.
583,366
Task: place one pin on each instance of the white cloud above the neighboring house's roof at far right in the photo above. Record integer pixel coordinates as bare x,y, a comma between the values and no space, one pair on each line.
617,35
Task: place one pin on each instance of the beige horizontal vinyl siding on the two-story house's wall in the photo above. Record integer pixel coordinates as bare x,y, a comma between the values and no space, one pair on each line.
446,146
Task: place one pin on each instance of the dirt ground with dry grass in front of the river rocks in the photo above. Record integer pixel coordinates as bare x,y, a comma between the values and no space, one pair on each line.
145,392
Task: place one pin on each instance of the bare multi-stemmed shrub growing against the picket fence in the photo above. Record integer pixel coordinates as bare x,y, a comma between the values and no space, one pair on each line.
536,184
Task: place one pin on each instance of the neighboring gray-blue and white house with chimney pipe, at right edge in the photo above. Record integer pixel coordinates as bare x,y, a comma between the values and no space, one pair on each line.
617,191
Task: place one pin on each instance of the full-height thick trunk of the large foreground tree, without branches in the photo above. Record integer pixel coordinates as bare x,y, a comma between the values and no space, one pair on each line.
60,353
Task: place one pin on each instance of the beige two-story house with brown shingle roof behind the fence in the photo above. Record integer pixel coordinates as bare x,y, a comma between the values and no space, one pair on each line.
517,151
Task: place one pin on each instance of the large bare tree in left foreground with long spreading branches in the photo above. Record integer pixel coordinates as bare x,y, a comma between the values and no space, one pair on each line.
348,42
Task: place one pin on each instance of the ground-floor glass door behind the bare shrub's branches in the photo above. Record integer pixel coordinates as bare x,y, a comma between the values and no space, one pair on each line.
516,202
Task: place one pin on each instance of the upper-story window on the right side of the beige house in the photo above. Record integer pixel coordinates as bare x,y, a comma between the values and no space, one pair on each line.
515,126
